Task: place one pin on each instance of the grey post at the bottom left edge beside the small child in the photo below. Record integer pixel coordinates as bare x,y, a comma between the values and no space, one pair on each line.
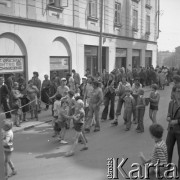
2,170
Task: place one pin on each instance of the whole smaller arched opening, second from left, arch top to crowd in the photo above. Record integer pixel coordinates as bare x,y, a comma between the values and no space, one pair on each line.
60,57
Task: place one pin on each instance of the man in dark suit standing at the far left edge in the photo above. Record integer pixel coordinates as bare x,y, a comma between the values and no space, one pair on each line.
4,98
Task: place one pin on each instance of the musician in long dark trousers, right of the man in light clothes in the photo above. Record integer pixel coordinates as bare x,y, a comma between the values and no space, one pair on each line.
109,98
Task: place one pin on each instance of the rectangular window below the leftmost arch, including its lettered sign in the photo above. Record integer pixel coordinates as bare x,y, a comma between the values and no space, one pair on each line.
12,64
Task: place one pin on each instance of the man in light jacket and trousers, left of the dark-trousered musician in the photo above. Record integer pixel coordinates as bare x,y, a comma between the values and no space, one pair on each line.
94,107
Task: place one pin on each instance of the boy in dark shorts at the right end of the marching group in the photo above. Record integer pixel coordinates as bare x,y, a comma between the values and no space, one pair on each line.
154,102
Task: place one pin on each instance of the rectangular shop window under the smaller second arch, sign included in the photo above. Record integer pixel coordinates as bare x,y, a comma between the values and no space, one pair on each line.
60,65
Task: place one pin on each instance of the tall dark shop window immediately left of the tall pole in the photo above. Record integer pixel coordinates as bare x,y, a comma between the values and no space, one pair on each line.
91,59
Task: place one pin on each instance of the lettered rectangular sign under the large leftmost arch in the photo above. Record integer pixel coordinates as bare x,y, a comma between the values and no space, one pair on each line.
11,64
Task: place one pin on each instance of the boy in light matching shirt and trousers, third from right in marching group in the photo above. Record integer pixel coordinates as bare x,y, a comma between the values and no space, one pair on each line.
129,105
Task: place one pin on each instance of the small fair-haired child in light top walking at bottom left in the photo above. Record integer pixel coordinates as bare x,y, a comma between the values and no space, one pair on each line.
8,147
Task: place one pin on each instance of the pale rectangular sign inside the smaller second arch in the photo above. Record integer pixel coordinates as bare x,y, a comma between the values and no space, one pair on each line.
59,63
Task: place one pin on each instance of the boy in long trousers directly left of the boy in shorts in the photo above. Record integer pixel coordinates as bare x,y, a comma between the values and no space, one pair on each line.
140,111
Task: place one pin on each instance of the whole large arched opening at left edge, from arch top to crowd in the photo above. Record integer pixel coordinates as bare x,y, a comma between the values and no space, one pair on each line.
13,56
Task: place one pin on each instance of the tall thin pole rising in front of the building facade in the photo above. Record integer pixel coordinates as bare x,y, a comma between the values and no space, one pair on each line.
100,38
